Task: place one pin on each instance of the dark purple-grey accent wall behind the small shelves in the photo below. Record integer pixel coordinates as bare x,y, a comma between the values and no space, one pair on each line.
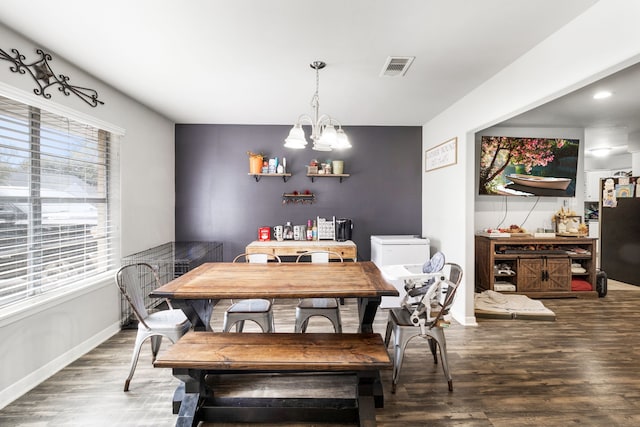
217,200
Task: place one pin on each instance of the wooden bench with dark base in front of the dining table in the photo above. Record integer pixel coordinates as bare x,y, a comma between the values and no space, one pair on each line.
199,356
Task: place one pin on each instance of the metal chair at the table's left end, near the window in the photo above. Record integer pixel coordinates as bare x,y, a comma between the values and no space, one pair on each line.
171,323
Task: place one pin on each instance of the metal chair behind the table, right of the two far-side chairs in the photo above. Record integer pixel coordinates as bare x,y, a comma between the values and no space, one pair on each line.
326,307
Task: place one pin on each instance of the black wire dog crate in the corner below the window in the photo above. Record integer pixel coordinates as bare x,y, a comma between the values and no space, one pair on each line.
169,260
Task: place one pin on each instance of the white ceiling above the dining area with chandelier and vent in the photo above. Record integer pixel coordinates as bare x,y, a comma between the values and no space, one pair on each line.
247,61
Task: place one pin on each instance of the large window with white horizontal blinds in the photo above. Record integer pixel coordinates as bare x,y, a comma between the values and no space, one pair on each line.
55,226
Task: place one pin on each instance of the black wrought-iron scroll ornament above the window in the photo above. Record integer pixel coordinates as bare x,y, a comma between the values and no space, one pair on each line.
45,78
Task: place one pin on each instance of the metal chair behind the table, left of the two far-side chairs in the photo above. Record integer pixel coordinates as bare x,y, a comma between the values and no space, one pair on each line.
257,310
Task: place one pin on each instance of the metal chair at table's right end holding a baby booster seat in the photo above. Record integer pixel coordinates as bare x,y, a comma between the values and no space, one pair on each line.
425,319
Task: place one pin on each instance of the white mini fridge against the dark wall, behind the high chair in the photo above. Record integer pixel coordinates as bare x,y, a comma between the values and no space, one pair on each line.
398,249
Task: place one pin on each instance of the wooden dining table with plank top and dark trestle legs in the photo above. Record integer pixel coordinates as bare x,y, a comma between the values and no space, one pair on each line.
198,291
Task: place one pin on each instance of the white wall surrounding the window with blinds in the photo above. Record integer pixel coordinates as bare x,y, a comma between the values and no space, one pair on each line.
36,343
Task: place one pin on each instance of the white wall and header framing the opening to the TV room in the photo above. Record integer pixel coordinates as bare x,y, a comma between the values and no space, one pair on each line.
597,43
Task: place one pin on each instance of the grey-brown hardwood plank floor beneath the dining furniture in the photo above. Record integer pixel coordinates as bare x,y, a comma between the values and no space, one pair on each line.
583,369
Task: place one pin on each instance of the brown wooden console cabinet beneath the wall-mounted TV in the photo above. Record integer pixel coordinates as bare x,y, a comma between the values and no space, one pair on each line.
536,267
